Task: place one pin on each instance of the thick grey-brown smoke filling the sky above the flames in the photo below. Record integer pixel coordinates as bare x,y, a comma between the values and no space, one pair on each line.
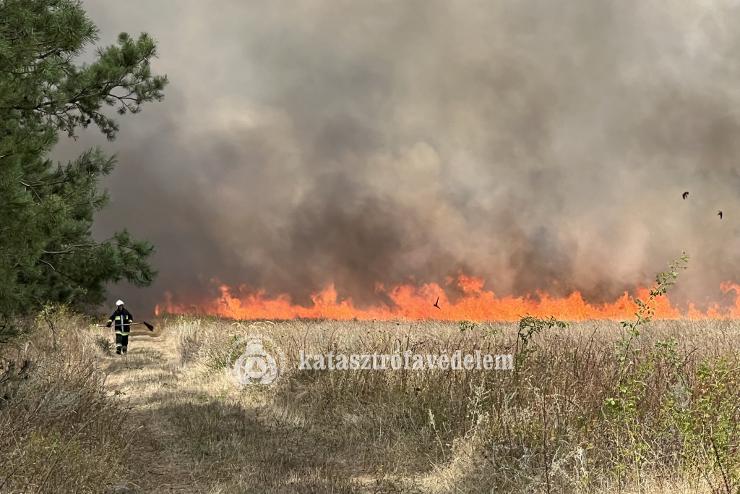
540,145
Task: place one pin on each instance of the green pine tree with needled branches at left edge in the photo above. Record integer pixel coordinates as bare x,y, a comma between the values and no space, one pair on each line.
47,253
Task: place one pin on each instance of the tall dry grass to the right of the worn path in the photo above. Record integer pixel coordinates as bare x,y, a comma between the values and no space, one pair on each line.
575,415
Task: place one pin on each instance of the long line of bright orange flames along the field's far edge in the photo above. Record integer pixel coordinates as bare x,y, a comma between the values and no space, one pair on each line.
411,302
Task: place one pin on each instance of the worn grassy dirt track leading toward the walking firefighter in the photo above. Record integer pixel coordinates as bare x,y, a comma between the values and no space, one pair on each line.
197,433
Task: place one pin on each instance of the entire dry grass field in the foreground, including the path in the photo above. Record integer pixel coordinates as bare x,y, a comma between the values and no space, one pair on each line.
587,409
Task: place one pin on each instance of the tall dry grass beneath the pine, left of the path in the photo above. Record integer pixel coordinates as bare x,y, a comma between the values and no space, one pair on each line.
59,429
